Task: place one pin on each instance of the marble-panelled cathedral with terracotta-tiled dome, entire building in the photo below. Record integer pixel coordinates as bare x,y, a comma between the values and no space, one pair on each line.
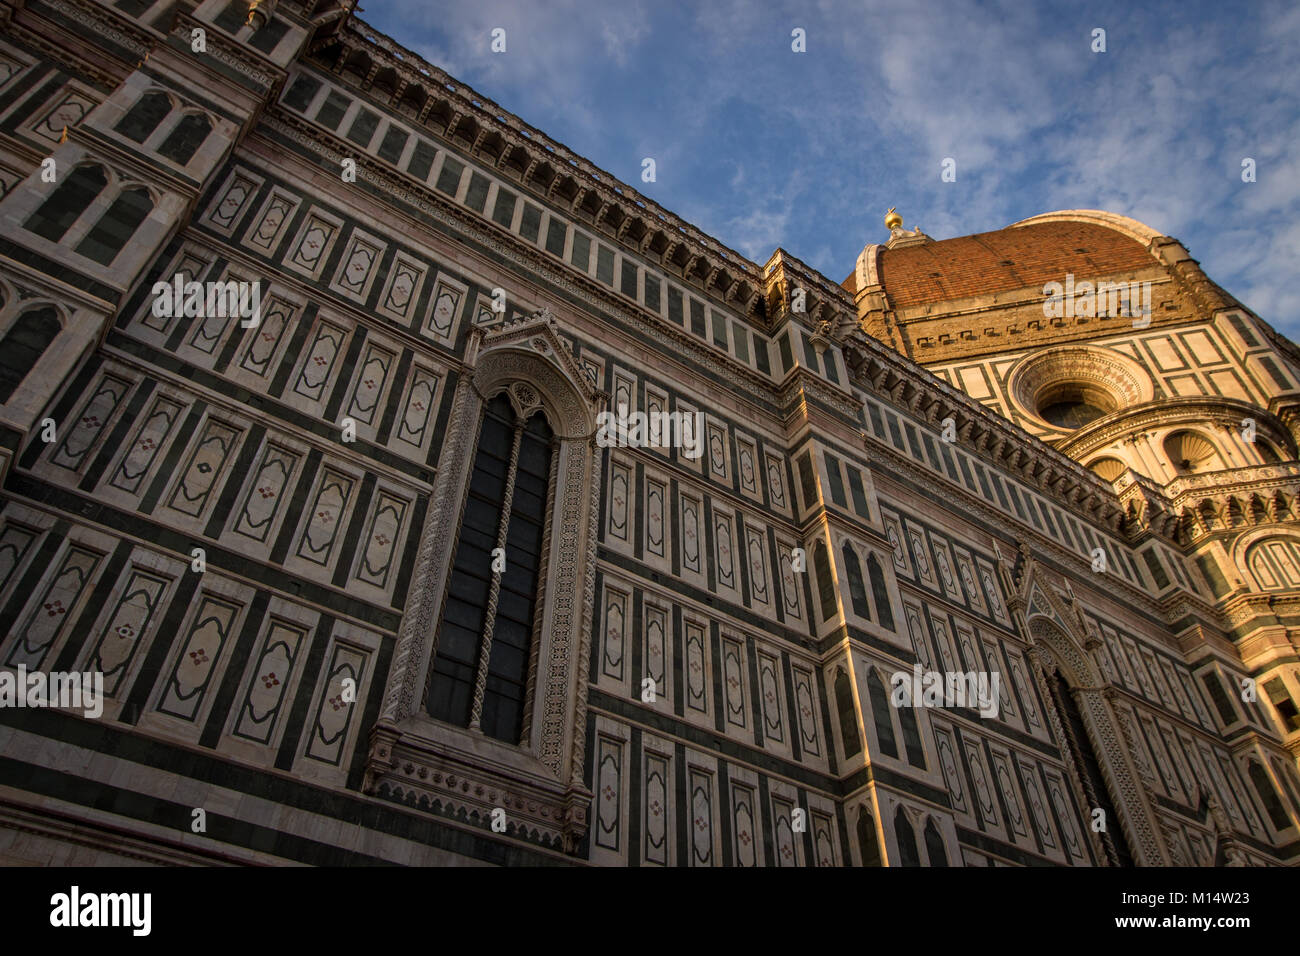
419,494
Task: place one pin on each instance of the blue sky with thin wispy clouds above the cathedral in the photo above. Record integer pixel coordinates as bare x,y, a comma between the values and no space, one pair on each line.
762,148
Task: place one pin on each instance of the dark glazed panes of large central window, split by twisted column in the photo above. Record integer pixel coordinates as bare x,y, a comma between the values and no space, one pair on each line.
480,672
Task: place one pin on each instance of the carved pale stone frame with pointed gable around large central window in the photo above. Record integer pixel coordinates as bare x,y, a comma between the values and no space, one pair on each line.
457,772
